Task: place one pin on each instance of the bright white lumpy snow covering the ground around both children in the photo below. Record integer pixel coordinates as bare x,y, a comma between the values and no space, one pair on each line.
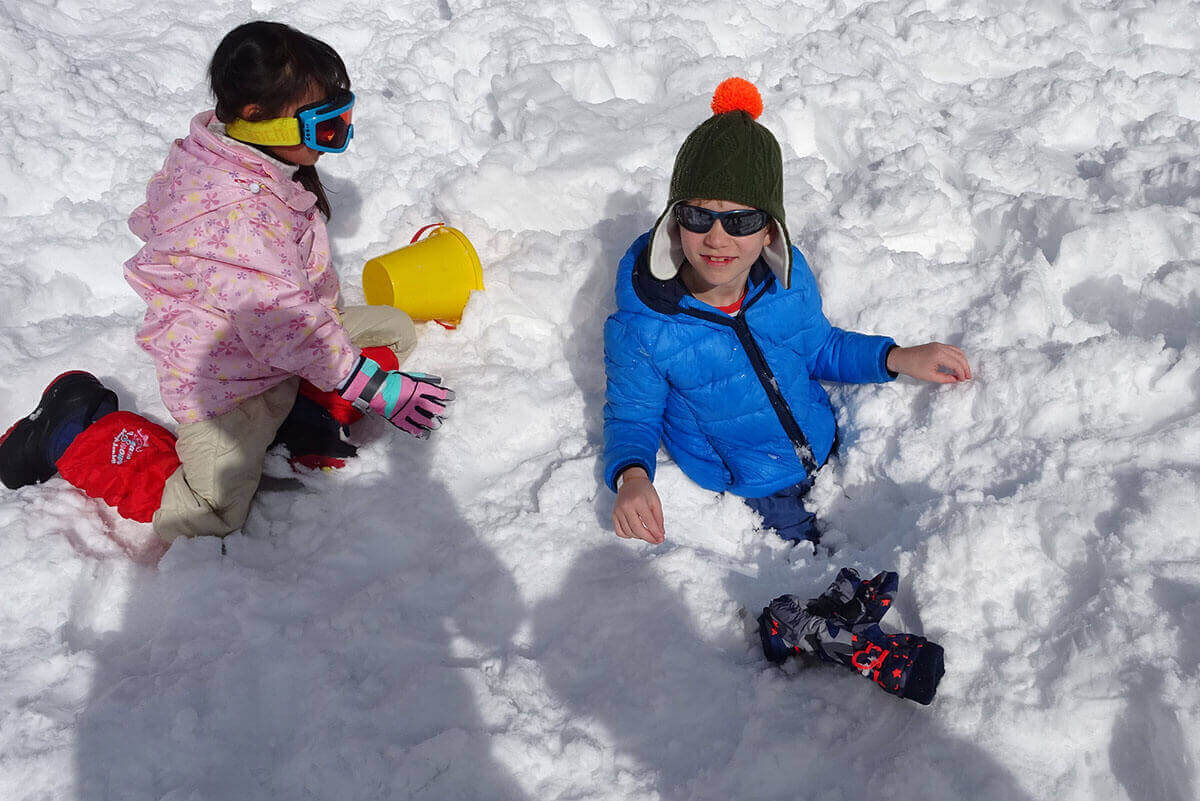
455,619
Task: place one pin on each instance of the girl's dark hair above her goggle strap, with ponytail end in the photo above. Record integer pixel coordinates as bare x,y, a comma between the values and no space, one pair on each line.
273,65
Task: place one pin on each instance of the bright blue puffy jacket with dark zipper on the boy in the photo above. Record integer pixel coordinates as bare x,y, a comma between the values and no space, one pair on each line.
735,399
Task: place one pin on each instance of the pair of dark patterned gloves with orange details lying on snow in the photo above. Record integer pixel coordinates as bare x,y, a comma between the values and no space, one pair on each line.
842,627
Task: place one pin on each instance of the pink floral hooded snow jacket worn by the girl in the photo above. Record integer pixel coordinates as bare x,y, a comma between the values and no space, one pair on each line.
237,278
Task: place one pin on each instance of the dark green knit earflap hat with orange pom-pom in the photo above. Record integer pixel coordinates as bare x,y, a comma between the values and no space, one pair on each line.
729,158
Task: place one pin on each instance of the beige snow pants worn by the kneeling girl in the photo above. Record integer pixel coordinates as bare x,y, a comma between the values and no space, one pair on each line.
223,457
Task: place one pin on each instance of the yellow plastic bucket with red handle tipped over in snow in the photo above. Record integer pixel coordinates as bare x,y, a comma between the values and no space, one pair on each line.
430,279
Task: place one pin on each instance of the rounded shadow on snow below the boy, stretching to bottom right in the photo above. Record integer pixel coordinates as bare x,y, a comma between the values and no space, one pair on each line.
697,718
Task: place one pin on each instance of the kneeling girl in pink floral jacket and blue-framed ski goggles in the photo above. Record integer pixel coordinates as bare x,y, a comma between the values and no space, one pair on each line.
242,308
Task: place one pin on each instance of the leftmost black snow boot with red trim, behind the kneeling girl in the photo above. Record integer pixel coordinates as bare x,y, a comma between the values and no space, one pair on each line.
32,447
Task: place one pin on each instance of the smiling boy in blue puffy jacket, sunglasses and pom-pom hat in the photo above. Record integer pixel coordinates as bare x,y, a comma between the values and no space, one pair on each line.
719,342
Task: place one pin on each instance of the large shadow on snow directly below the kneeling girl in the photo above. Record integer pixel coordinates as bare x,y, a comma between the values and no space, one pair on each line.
327,657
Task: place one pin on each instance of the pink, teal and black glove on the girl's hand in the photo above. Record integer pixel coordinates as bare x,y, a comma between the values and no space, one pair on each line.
412,402
